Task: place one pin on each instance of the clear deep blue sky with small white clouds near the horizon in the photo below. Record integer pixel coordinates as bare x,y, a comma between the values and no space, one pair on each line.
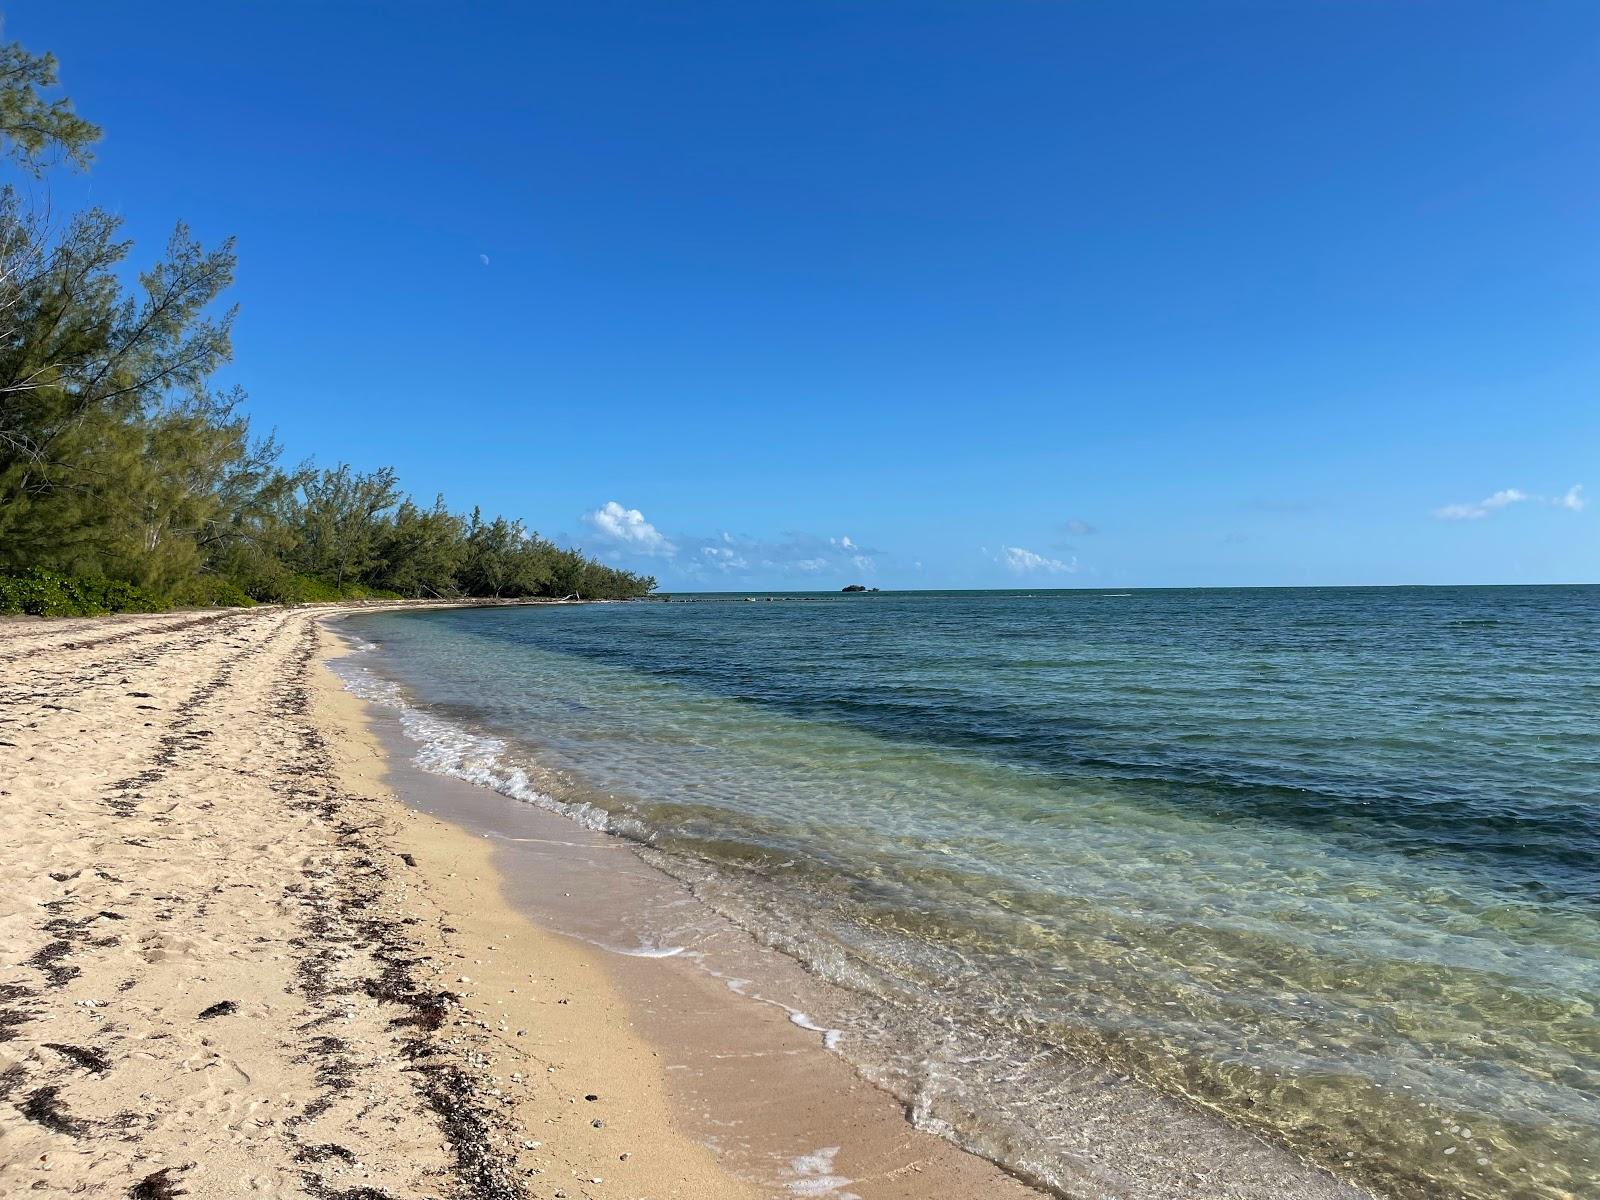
911,294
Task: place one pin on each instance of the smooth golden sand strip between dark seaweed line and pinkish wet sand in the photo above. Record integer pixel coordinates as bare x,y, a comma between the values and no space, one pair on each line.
554,1022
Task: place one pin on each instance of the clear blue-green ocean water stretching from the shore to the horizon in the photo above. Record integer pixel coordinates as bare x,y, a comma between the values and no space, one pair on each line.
1321,862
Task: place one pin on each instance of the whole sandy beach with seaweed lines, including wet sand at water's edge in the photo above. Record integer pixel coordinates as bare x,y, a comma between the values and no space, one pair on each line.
234,964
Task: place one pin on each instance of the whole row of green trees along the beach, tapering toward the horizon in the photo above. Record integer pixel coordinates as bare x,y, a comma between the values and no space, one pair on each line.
127,481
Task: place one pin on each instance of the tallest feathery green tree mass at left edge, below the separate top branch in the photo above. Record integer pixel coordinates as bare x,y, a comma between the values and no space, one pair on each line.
113,455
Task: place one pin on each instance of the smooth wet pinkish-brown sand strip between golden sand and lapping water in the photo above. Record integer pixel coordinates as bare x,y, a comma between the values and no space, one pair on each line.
743,1073
